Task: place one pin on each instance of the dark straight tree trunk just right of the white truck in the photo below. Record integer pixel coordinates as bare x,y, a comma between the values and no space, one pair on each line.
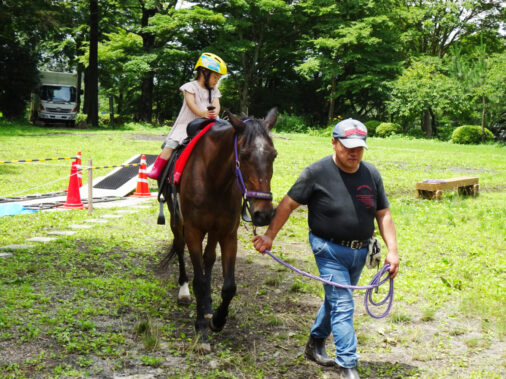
92,82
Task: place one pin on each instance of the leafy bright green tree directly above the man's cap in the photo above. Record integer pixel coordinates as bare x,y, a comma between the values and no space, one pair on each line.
354,46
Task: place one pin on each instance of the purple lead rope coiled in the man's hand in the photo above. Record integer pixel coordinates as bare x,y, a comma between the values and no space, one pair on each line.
375,283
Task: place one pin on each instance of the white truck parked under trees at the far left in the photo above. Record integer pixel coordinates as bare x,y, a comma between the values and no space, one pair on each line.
55,99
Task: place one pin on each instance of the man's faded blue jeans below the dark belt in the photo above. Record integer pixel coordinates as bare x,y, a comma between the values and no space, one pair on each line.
342,265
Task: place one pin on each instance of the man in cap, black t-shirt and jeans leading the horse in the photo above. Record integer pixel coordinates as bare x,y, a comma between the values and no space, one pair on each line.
344,196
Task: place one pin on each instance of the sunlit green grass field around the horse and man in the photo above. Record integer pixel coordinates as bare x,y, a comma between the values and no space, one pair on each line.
96,296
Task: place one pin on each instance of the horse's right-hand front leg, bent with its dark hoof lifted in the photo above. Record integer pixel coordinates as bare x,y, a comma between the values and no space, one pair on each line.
228,255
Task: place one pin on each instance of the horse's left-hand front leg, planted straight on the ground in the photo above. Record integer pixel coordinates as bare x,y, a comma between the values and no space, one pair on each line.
194,242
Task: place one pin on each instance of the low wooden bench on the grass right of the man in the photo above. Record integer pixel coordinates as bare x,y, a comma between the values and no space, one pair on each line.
432,188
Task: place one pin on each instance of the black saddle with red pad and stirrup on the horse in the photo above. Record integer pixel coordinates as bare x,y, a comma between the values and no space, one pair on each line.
174,168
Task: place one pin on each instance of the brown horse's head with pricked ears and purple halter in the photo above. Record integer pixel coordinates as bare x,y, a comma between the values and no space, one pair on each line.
256,154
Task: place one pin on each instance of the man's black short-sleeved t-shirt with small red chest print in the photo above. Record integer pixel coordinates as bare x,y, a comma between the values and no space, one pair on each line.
341,206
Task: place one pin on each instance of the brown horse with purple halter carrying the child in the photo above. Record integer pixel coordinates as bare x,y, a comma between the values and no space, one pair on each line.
231,163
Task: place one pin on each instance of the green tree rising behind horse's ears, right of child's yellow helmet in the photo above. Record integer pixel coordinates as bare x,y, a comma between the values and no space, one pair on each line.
255,42
